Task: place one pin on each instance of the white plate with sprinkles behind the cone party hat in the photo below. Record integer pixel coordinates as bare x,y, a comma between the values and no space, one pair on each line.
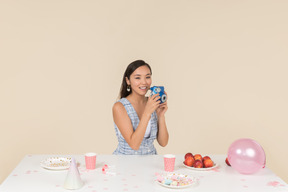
56,163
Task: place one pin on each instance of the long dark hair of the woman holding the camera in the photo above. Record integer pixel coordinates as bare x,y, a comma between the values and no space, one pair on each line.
129,70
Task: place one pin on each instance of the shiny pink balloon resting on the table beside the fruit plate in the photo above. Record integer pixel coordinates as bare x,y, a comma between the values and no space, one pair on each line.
246,156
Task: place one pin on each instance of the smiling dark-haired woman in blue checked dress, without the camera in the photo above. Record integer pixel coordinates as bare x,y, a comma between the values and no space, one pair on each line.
139,120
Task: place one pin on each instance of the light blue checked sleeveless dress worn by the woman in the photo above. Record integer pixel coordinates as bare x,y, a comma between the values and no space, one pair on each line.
147,146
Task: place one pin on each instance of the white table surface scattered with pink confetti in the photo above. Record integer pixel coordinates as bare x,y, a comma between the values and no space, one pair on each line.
137,173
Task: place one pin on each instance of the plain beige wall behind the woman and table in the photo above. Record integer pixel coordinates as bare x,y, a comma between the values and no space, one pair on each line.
223,64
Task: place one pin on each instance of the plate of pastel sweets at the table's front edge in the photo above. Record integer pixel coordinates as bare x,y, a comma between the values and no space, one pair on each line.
176,180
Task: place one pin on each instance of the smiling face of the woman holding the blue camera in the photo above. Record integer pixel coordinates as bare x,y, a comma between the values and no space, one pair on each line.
140,80
